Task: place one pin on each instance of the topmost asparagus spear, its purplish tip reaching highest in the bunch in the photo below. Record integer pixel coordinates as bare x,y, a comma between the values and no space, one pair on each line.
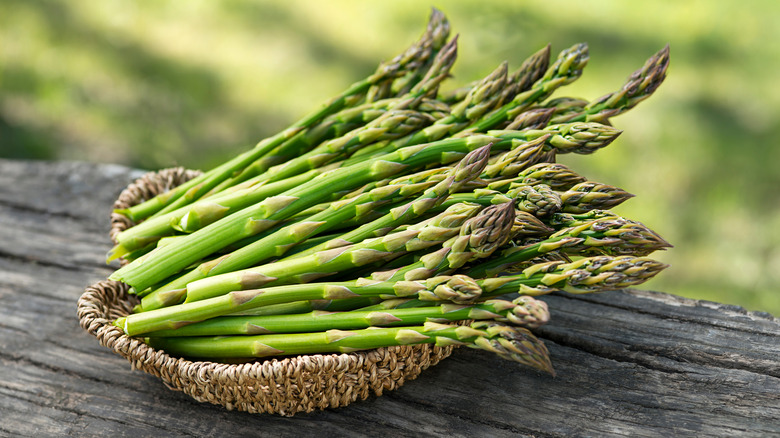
196,187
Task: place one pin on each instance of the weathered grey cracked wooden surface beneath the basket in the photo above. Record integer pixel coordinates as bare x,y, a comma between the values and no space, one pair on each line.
629,363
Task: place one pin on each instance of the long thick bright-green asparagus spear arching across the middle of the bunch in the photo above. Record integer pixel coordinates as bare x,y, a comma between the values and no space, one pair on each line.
151,269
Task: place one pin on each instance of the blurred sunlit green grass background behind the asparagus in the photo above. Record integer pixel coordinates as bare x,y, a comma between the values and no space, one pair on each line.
163,83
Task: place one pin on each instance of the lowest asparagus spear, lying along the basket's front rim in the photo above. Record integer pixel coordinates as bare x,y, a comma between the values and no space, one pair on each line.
512,343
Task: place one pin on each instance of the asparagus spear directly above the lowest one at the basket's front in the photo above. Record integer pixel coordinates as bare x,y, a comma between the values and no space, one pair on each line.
524,311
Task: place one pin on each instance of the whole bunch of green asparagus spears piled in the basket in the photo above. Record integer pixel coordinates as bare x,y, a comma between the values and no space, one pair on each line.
395,214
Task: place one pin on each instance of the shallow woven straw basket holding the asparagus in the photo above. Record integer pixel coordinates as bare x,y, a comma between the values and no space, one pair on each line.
282,386
